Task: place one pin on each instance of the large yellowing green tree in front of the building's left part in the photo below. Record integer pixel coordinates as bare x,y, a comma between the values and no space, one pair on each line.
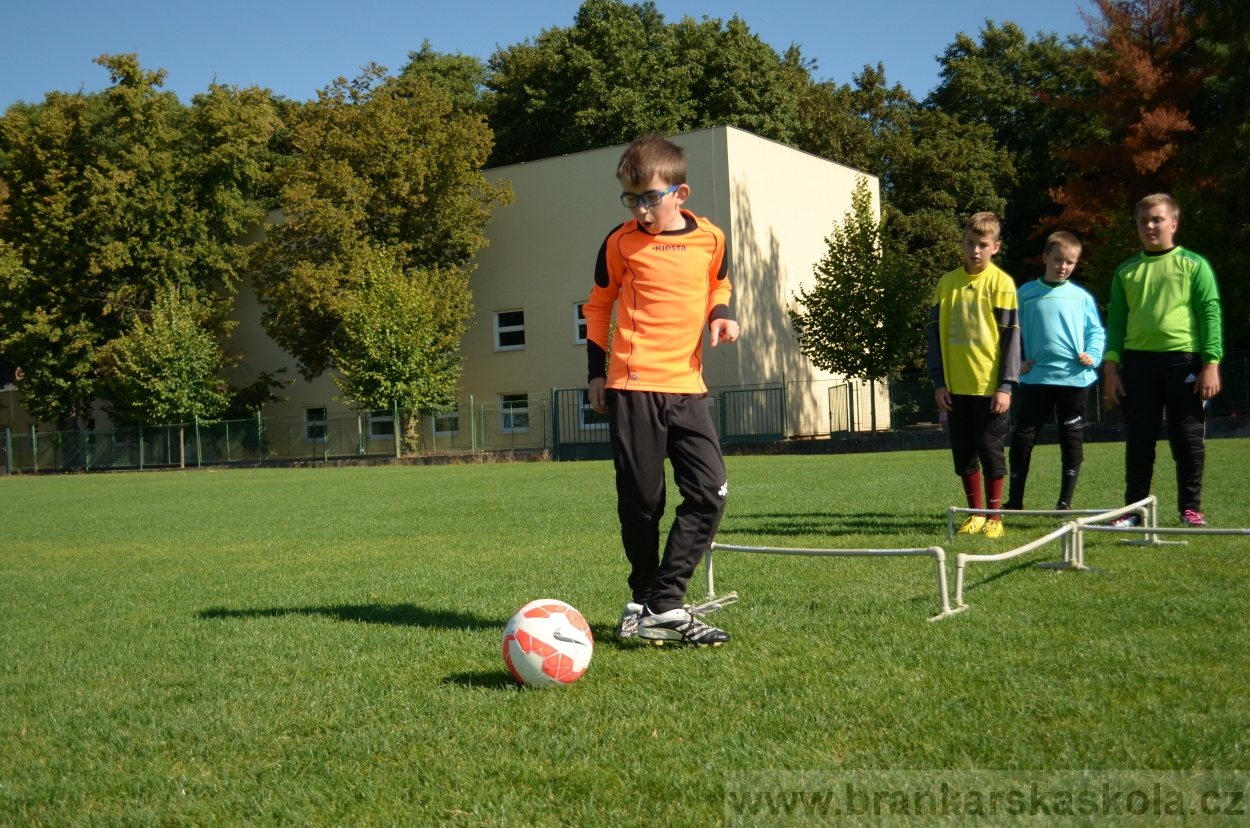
383,171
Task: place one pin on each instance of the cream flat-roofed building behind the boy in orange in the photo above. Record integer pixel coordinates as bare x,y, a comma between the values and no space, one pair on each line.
776,204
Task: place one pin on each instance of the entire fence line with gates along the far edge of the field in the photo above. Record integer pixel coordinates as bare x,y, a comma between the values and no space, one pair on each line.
566,425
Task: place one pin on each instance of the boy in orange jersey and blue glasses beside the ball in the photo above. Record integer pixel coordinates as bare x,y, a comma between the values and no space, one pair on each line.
668,271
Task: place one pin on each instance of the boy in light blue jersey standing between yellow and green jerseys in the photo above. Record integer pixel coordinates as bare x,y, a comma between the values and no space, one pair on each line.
1063,343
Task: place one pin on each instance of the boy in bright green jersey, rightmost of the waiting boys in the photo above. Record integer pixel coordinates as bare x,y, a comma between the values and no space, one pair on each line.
1164,347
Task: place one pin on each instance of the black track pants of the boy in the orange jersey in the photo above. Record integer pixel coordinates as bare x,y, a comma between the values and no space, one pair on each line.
646,428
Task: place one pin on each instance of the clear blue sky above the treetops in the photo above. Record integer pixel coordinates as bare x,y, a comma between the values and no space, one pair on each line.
297,48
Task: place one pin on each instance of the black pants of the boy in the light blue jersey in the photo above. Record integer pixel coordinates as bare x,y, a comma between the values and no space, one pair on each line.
1034,408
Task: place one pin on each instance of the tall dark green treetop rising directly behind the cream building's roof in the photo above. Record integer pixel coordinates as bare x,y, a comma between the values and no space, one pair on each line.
621,72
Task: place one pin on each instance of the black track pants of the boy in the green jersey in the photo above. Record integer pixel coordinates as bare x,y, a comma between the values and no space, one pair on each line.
1156,383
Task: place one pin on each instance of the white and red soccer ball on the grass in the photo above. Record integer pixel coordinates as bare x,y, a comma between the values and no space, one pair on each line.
548,644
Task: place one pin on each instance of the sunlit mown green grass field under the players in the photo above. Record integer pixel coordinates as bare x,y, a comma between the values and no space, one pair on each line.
322,646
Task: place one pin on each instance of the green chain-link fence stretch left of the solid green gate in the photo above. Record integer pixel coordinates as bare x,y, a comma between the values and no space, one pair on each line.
489,427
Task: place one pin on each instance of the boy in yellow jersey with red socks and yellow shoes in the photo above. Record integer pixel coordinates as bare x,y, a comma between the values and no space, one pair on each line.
974,362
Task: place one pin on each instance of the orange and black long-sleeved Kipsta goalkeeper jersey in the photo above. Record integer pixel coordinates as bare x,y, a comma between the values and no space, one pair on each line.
669,286
